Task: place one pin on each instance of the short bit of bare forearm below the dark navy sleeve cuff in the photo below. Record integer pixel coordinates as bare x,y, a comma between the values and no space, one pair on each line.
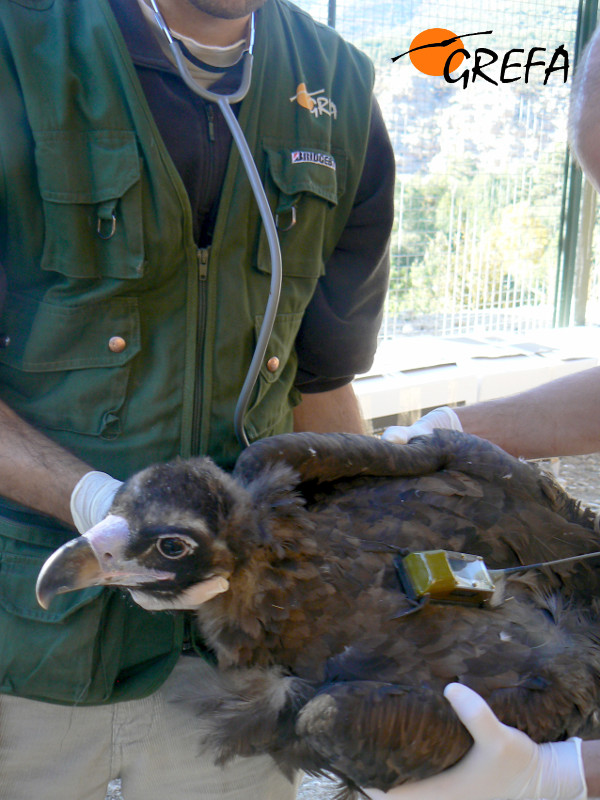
329,412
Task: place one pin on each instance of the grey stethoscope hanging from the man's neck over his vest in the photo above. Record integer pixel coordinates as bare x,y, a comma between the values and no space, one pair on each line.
224,102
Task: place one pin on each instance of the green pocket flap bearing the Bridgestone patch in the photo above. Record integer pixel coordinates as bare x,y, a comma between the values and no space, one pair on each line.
310,169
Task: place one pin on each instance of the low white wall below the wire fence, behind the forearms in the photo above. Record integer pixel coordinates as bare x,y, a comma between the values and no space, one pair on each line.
411,375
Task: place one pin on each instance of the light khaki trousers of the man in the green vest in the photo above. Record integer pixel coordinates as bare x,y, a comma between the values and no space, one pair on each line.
52,752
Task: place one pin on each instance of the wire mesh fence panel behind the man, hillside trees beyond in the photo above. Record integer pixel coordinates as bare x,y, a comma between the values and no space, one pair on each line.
479,164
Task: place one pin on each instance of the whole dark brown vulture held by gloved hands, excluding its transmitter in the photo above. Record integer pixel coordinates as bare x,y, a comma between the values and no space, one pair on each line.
320,663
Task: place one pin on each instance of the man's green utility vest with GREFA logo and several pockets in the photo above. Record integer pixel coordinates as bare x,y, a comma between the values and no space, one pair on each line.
124,343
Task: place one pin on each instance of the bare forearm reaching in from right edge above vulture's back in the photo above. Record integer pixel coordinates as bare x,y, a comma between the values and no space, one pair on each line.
559,418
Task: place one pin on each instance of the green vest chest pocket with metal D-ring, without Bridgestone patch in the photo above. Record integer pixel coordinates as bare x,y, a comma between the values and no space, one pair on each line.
90,184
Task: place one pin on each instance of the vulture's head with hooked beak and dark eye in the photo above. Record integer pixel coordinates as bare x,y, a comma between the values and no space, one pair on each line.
173,537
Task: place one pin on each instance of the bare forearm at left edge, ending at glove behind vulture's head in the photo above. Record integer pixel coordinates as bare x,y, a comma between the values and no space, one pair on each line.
34,470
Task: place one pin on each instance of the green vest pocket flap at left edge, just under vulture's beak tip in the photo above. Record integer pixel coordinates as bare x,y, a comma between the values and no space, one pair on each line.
17,590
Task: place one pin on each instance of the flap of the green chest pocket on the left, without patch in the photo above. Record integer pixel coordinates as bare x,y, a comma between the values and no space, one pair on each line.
86,167
